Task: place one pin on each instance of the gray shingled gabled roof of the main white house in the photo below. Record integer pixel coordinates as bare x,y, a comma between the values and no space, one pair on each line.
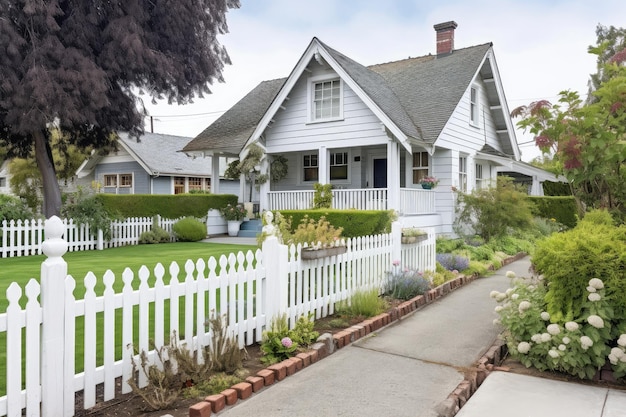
414,97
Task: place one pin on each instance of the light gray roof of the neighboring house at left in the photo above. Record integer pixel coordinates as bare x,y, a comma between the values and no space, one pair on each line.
158,154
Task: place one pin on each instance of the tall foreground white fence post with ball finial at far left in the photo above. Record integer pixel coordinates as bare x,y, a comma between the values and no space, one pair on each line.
53,273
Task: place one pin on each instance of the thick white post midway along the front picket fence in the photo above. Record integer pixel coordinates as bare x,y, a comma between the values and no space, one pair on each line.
276,273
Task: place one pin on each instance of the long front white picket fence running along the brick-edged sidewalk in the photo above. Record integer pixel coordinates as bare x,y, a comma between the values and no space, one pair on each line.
250,288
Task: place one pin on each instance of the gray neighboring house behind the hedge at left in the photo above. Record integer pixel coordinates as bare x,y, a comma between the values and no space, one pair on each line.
152,165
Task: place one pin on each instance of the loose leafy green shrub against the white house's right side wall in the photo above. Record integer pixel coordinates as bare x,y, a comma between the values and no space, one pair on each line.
493,212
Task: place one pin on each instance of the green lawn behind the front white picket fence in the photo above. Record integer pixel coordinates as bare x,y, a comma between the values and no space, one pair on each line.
22,269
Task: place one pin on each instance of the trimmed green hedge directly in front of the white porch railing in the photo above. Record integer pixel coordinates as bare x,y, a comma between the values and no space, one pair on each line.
354,222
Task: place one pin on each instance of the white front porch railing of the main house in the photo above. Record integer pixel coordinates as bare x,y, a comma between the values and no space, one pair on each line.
412,201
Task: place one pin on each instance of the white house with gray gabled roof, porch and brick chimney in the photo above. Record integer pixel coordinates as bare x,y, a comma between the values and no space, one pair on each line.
374,132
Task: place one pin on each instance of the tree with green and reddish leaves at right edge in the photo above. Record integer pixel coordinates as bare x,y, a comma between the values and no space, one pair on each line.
587,139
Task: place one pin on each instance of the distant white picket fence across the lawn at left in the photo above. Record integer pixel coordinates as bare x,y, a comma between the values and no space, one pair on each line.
24,237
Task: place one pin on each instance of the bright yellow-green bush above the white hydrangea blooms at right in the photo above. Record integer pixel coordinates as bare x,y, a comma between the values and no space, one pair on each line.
593,249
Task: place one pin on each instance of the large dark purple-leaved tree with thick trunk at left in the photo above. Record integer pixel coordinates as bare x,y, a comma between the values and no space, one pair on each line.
76,65
